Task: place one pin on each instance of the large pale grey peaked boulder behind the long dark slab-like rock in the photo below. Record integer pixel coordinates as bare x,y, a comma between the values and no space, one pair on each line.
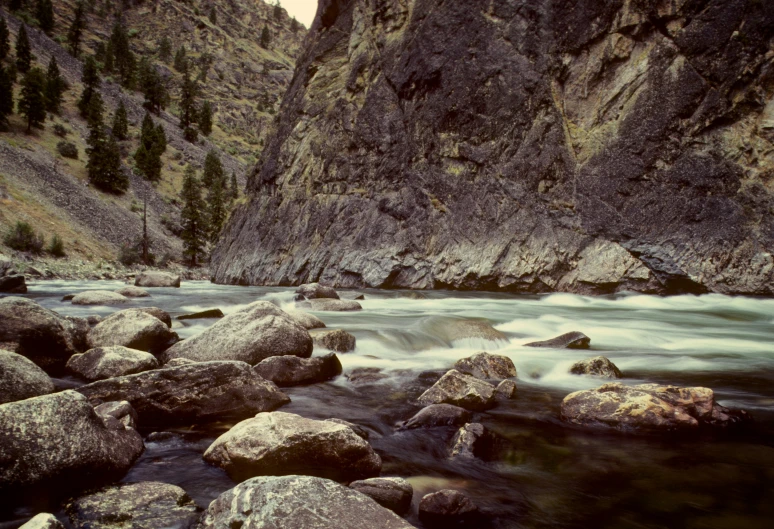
250,335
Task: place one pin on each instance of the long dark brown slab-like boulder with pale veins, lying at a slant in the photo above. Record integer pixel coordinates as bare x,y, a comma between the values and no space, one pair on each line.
196,393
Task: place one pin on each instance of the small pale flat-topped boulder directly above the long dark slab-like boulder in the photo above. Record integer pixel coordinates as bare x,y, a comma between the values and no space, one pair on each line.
108,362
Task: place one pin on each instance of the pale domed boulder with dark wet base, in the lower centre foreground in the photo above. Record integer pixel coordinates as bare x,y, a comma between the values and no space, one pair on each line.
281,443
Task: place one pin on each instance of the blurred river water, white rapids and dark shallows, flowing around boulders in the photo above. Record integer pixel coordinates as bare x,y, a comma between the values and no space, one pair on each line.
545,474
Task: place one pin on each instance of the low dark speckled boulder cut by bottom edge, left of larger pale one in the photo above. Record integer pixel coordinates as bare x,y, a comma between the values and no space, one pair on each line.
143,505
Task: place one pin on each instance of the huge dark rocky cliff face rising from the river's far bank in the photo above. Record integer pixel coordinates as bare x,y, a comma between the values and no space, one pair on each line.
586,146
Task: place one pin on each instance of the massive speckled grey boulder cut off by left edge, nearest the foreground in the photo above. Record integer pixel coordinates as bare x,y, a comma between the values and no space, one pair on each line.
60,437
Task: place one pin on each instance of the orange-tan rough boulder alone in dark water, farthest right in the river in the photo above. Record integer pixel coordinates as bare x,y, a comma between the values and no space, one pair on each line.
648,407
